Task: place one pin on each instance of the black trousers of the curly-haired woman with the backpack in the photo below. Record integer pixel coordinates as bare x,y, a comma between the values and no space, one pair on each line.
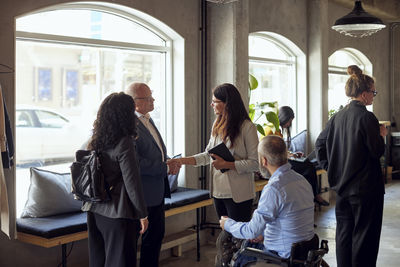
112,242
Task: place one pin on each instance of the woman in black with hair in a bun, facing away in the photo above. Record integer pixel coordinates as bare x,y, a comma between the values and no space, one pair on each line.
350,148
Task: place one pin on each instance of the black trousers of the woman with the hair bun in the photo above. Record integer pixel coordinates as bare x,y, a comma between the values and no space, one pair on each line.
358,230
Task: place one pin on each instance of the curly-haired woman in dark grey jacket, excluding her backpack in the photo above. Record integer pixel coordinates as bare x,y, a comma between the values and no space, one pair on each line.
114,225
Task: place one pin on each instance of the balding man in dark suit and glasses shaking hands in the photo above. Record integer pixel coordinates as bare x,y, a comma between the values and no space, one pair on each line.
152,156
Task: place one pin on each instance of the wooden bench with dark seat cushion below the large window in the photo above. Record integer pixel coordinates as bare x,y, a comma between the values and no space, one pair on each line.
66,228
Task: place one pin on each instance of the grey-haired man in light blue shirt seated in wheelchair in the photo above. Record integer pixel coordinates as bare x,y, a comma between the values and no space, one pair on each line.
285,212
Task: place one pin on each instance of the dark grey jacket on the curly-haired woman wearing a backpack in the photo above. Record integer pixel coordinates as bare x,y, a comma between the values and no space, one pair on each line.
120,168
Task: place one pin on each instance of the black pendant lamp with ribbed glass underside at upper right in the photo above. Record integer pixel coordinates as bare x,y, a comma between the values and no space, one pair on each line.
358,23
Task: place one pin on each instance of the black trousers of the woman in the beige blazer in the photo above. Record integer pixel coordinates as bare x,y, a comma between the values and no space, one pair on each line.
240,212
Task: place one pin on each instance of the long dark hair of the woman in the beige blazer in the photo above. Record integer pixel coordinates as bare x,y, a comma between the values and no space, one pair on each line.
227,125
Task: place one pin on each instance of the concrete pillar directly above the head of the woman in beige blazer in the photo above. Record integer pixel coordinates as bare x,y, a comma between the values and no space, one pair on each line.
228,31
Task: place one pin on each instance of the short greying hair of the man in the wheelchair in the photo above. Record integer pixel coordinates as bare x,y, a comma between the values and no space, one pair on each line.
273,148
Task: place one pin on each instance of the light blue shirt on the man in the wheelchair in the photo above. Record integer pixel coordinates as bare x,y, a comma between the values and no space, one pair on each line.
285,213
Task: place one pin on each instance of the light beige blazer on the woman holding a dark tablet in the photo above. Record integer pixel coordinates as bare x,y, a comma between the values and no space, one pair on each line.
244,151
